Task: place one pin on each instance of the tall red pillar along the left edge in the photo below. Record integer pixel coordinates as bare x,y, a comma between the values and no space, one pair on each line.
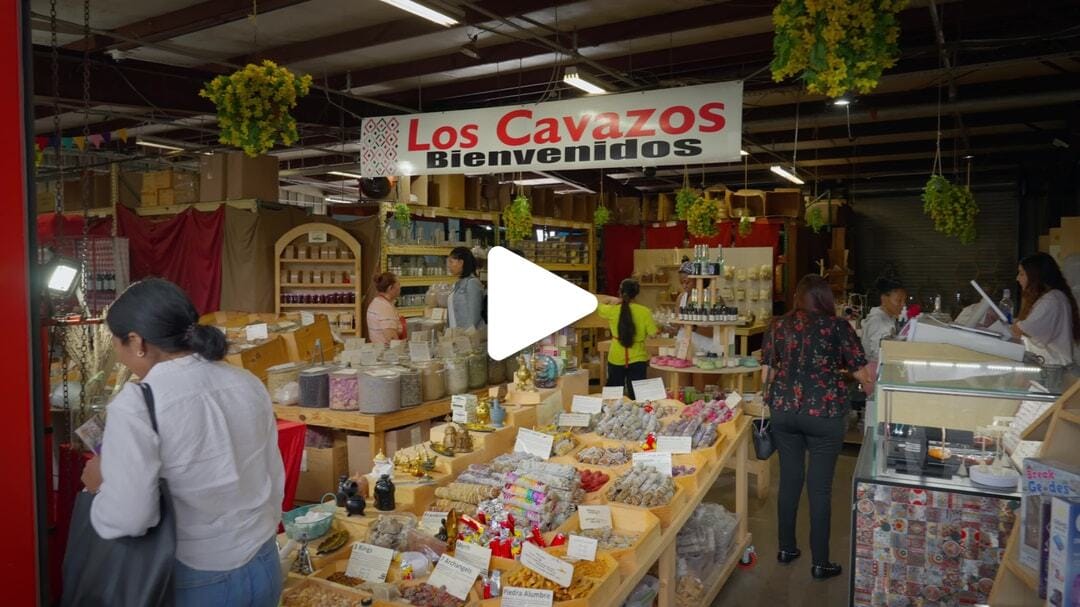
21,442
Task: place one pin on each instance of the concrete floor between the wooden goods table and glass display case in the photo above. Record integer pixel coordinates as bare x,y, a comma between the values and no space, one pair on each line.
772,584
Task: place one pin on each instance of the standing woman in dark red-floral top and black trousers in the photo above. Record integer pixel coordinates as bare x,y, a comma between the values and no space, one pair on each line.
806,354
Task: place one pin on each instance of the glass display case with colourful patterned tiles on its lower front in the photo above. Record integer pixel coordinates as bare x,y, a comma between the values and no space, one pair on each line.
923,531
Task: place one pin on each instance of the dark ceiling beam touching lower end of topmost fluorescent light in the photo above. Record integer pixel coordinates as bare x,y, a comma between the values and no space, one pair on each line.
404,29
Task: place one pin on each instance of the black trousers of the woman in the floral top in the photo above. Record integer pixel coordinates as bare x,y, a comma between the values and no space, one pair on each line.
823,438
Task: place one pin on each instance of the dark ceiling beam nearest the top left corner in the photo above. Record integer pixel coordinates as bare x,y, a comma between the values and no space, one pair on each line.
181,22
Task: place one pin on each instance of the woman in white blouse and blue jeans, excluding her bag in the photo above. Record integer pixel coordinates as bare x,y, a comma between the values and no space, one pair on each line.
218,447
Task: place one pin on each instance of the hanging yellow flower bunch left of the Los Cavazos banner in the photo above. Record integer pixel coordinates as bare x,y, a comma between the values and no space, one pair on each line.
254,106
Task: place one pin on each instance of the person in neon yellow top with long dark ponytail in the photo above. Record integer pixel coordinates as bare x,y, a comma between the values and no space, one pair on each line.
631,326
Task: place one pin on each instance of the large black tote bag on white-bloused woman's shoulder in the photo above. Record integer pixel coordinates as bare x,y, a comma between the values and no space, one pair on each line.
125,572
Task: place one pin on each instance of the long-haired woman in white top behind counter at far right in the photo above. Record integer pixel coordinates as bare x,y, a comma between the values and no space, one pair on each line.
1048,321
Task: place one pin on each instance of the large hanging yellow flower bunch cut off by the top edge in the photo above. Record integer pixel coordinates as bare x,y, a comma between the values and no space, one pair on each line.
836,47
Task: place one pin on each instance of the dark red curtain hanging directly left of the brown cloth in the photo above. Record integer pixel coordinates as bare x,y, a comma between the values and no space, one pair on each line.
185,249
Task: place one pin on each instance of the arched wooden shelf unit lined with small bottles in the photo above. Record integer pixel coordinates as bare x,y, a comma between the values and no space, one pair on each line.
315,237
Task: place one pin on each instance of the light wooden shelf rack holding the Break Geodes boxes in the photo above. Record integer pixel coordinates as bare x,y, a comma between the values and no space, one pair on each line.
1016,585
